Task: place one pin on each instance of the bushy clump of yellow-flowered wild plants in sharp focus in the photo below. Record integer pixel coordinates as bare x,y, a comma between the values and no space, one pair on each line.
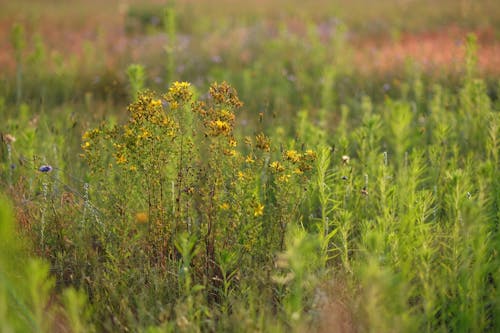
184,194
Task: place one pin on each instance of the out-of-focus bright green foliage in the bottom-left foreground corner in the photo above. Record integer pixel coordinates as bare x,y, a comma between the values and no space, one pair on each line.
27,291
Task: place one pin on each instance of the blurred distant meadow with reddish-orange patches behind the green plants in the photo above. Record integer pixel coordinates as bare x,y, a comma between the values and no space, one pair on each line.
84,47
